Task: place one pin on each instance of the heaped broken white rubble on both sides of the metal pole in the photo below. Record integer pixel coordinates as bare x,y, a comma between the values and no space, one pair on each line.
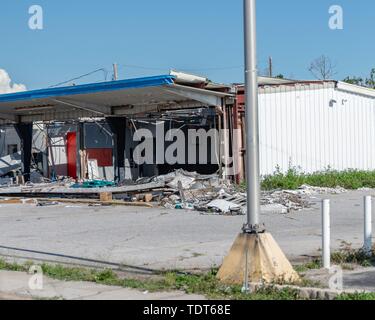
210,194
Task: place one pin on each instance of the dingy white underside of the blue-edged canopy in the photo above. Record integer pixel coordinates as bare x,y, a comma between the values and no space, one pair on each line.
122,102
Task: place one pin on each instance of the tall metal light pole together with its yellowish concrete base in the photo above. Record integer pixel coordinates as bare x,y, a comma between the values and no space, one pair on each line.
242,264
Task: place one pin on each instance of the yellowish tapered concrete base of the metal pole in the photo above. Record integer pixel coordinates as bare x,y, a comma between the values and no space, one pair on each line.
260,257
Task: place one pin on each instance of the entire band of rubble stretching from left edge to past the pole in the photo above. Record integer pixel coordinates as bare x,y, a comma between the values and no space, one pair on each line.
208,194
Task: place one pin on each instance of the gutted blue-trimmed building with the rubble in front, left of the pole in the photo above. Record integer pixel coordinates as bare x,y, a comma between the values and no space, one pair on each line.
83,143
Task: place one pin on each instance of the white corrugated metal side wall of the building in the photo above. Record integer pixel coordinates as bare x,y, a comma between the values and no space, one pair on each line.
299,128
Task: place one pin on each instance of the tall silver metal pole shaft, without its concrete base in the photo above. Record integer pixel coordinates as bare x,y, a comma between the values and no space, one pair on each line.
252,125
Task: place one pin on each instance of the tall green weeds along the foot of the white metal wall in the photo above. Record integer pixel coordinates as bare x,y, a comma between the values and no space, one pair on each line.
293,179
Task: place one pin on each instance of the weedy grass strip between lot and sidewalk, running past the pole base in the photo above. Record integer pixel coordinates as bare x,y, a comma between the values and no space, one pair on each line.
203,284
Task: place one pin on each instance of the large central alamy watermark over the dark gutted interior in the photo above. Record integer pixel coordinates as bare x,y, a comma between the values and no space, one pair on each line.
186,147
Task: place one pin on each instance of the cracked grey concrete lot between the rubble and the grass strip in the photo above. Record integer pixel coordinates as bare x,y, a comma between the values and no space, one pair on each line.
139,239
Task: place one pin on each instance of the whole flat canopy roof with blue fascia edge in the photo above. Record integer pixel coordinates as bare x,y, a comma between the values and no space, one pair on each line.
116,98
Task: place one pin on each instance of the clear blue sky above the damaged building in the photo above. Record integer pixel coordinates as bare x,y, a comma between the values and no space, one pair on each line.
204,36
